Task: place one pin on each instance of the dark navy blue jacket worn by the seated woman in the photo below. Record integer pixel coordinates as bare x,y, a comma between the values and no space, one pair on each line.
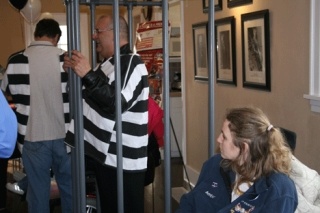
212,193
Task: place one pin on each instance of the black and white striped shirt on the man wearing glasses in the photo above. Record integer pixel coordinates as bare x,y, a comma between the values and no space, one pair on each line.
99,126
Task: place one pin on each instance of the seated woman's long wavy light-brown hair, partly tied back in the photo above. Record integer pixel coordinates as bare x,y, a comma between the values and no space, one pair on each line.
268,151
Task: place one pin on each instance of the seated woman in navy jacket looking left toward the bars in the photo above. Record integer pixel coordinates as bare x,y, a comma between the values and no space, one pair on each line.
250,174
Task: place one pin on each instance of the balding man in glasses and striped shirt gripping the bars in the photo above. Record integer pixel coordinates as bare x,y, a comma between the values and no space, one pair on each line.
100,119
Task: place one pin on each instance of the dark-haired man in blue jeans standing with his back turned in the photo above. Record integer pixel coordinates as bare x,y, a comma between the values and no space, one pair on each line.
38,85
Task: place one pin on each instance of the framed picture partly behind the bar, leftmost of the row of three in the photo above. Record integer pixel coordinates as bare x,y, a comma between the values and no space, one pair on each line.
199,32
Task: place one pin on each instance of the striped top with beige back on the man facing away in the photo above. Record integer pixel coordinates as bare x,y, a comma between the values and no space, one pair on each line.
38,86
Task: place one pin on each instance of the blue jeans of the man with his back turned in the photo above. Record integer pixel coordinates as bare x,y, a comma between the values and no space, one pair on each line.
38,158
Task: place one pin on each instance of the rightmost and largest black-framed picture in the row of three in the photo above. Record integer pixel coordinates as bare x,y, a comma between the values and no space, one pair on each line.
256,50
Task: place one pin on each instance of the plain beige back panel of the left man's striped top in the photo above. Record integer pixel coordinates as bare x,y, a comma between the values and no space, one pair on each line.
46,121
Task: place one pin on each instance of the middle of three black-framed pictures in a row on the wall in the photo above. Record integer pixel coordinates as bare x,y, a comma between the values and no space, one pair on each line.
225,51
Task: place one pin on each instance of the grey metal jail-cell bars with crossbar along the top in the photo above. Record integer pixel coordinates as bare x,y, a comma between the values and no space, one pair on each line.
73,20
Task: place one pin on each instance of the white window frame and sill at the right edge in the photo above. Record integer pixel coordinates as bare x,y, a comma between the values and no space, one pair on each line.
314,72
